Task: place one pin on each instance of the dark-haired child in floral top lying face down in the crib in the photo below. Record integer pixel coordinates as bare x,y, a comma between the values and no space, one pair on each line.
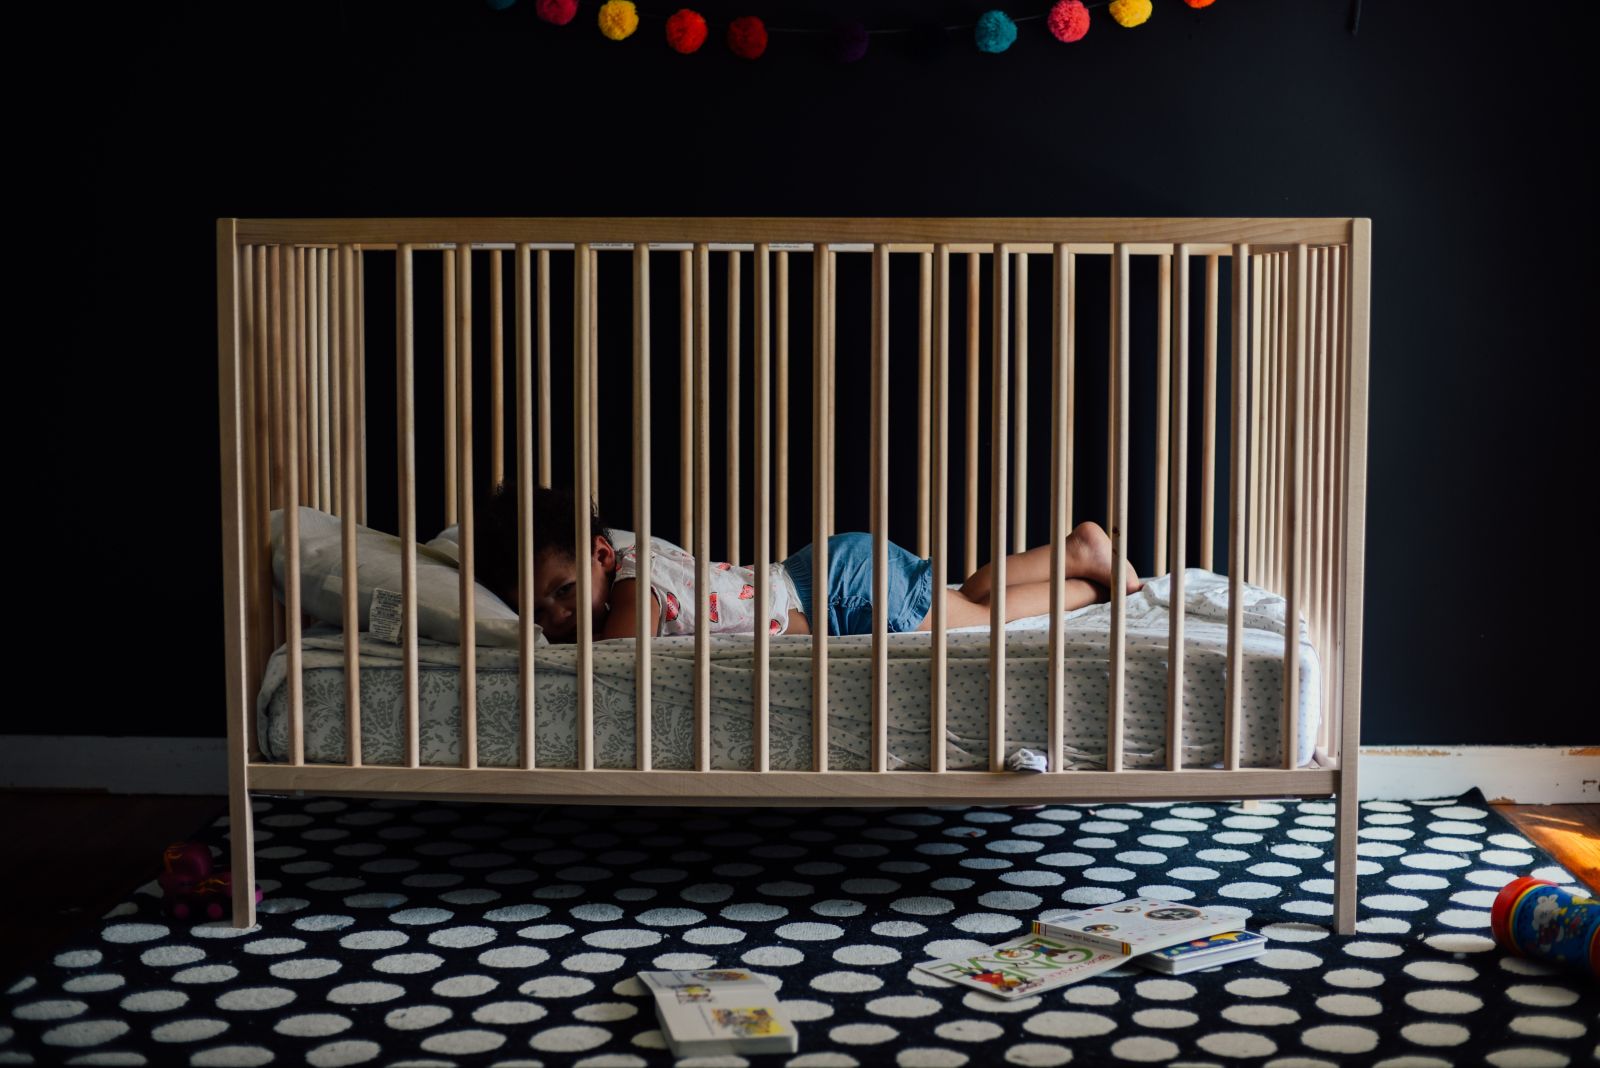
732,597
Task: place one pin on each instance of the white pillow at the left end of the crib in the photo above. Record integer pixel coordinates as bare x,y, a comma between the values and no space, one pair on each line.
378,567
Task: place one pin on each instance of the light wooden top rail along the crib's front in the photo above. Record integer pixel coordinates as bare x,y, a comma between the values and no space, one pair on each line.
844,234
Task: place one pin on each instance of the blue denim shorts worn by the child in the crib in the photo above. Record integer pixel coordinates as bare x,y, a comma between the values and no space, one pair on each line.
850,586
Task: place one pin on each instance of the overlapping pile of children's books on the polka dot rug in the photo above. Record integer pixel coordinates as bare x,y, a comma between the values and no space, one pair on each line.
1066,947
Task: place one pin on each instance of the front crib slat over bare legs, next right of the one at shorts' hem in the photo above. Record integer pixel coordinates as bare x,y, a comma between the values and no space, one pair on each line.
998,487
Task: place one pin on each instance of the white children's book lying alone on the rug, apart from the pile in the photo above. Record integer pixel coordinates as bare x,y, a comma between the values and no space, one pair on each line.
719,1011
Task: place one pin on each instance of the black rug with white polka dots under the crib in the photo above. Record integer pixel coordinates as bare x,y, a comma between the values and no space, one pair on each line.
409,933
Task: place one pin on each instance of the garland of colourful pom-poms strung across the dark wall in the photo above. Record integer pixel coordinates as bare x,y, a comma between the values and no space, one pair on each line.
748,36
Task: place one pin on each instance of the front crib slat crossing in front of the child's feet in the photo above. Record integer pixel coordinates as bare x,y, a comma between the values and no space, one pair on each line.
1119,514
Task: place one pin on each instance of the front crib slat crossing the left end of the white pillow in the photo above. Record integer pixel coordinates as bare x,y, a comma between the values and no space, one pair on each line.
284,327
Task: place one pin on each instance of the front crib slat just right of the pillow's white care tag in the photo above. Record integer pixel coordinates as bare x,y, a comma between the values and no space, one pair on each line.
406,391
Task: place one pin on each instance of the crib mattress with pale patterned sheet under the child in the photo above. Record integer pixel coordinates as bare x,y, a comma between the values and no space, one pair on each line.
850,679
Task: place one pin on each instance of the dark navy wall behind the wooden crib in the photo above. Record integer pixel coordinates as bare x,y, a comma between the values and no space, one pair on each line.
1462,141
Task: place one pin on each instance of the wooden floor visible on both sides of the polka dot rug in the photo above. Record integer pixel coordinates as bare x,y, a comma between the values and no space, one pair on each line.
79,855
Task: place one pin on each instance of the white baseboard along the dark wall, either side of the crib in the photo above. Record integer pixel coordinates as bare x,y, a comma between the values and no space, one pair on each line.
1521,775
